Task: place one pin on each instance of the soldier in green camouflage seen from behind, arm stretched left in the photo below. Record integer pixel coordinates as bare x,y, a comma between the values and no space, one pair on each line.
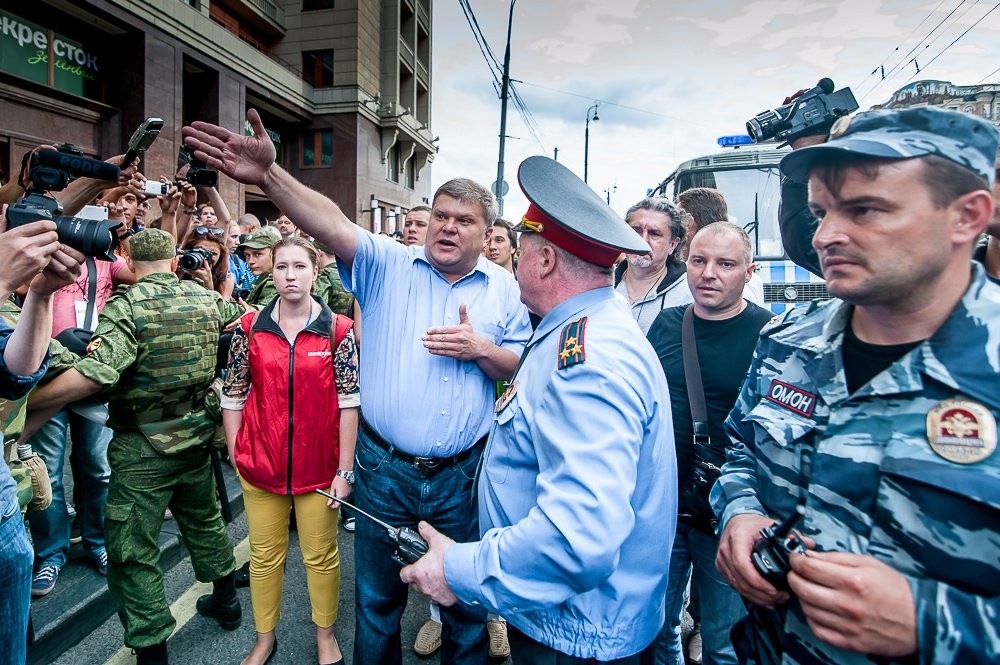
154,352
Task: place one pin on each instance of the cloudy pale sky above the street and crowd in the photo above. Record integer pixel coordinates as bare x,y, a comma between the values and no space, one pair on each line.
671,77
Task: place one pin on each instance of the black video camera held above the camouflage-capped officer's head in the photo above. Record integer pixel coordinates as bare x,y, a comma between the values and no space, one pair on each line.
813,112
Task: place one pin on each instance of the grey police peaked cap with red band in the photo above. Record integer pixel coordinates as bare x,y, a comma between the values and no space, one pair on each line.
568,213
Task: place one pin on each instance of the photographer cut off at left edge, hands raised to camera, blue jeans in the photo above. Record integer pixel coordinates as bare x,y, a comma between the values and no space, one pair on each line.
32,253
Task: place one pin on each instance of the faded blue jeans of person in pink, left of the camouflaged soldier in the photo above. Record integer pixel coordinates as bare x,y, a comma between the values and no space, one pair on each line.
89,460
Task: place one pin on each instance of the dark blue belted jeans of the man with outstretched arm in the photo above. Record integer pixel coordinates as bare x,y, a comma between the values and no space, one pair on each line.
395,491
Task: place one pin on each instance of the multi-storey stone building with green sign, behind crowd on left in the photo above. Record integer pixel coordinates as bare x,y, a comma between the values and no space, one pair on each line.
343,87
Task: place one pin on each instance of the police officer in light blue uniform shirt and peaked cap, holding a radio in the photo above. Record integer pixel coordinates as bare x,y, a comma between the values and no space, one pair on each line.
577,496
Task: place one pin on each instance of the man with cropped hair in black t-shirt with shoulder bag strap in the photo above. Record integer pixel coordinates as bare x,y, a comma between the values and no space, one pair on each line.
726,327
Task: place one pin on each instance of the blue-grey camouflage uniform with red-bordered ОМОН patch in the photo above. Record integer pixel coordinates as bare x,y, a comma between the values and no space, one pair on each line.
871,480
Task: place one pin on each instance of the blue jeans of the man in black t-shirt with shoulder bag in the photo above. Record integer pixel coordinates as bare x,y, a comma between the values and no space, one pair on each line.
721,606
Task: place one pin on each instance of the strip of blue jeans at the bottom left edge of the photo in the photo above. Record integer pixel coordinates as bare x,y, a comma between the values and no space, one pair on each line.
15,576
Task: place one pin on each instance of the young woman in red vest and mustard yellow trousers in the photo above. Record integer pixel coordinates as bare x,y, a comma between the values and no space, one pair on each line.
290,411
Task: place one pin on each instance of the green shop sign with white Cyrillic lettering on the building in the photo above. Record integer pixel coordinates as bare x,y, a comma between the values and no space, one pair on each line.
26,49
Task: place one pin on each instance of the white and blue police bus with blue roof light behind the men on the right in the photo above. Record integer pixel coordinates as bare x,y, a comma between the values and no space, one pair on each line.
747,175
